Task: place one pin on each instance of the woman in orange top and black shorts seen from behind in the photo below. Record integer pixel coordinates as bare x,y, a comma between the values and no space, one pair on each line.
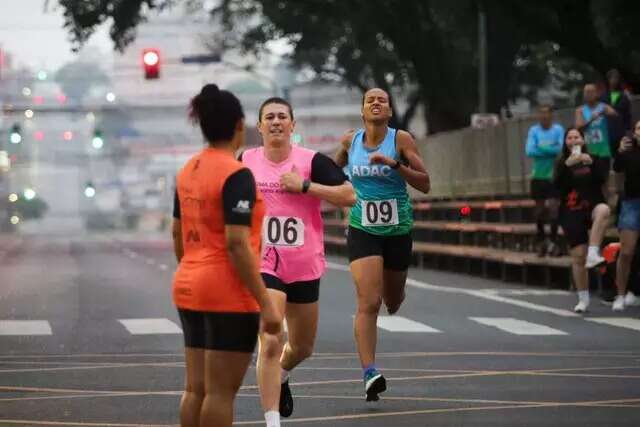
217,287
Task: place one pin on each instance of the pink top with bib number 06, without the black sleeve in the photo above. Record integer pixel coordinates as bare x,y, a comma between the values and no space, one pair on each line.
292,232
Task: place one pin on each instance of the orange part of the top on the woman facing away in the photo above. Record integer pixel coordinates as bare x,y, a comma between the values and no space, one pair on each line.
206,280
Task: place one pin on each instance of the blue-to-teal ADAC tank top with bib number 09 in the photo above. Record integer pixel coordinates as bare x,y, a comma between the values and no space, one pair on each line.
382,204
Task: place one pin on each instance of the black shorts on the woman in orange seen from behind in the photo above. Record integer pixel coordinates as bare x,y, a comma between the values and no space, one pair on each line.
220,331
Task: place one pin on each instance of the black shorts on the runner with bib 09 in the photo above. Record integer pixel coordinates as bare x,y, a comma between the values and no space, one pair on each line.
394,250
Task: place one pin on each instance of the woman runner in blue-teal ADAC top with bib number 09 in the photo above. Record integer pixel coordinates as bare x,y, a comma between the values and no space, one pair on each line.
380,162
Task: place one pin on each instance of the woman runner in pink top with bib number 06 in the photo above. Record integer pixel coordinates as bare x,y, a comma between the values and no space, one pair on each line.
293,181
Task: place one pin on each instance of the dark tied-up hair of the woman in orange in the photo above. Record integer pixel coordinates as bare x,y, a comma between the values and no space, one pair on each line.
217,112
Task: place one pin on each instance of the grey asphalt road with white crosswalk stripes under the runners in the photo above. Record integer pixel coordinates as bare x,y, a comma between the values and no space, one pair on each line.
89,337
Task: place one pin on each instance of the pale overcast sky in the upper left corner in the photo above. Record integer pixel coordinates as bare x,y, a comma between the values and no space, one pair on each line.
36,39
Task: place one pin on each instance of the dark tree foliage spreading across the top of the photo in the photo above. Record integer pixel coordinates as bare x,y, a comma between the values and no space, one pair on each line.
425,48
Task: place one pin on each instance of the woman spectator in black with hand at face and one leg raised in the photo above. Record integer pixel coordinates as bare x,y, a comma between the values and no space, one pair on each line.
579,180
